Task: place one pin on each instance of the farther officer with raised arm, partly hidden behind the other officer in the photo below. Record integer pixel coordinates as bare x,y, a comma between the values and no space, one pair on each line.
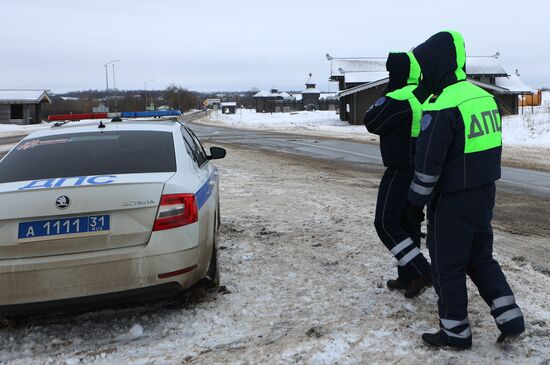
395,117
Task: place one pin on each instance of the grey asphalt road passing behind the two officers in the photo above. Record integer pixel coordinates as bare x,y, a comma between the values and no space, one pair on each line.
514,180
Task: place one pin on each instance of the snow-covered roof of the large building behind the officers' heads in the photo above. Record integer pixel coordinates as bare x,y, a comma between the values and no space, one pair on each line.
361,67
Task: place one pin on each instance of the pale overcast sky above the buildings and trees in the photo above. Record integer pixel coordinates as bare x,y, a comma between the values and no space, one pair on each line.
62,45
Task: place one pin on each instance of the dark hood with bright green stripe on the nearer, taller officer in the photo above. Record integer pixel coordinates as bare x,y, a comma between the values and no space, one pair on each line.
443,61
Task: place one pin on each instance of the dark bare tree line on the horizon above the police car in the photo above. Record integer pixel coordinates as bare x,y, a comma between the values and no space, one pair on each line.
77,102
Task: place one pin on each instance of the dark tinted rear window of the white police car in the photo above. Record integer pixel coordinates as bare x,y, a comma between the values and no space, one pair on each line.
94,153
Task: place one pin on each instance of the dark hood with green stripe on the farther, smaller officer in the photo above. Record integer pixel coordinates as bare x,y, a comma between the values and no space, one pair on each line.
403,68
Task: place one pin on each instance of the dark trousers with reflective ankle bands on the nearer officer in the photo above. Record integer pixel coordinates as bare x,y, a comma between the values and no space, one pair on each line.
460,240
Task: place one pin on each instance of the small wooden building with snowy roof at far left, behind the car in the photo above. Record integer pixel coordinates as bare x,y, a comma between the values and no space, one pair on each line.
22,106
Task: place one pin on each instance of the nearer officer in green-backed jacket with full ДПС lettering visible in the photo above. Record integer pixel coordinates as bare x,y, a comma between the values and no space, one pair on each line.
457,163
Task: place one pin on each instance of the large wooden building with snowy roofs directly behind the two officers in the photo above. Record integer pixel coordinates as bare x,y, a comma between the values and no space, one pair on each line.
362,80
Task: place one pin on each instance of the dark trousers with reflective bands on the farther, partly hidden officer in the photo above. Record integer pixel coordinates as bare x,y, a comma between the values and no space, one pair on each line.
396,230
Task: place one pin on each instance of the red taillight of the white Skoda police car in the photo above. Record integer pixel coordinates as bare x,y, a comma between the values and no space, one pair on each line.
176,210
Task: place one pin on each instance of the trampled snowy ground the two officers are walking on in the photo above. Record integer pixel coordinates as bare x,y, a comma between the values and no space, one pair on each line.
305,274
